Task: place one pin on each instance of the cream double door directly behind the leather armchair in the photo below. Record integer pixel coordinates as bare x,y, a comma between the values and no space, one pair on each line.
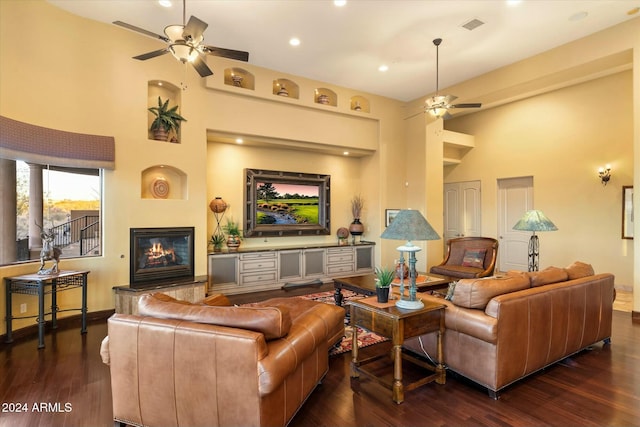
461,209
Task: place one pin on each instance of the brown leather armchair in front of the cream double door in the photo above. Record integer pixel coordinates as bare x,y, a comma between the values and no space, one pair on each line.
468,257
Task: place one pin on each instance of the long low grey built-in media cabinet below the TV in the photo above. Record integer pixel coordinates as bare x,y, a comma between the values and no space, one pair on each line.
261,269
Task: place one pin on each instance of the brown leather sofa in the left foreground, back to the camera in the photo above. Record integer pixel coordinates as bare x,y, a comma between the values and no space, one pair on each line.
182,364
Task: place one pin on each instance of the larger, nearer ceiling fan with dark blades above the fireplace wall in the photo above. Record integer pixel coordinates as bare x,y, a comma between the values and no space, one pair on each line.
184,42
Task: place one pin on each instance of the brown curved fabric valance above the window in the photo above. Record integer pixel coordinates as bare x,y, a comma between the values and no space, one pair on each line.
37,144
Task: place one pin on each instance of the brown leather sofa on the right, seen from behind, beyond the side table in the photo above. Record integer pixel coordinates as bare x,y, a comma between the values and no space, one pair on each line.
501,329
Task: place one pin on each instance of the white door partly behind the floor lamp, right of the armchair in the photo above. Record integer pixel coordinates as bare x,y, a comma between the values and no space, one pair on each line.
515,197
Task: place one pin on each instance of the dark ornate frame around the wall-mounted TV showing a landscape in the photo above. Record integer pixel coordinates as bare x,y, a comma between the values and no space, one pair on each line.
257,177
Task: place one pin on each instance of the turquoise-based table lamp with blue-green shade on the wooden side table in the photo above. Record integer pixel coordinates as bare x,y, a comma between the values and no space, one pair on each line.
409,225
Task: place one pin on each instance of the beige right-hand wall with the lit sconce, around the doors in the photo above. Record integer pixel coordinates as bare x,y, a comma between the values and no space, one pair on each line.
560,138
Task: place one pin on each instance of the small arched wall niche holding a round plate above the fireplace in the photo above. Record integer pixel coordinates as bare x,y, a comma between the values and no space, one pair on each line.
163,182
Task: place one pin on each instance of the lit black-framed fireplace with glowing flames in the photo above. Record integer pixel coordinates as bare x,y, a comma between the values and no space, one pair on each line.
160,255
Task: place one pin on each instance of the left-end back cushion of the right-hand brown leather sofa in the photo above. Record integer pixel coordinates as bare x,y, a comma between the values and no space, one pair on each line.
476,293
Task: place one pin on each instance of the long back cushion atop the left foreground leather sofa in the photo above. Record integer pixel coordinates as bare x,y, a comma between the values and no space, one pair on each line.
273,322
